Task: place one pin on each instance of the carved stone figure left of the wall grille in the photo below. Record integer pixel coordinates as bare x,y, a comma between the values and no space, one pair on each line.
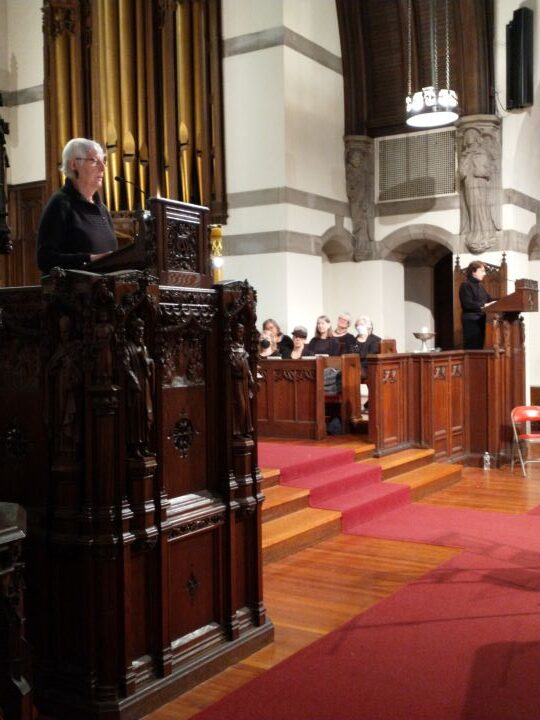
359,177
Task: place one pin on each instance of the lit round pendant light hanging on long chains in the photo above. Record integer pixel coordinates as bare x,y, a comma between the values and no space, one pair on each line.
432,106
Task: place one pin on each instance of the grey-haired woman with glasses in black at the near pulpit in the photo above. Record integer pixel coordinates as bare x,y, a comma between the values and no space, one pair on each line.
76,227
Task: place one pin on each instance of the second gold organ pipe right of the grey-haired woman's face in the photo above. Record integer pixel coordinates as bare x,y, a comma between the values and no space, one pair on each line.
127,96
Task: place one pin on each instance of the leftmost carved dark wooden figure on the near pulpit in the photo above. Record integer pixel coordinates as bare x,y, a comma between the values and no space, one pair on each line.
64,382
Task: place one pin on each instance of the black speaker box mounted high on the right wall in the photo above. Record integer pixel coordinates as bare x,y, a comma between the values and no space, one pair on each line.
519,59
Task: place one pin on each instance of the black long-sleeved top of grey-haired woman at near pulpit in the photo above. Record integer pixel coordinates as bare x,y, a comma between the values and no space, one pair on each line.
71,229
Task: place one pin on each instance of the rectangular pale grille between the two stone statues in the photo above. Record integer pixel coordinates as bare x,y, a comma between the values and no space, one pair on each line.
417,165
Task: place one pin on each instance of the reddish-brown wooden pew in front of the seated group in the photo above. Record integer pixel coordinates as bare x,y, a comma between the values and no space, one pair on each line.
291,399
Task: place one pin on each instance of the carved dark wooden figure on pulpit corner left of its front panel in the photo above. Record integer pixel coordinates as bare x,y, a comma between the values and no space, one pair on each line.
139,387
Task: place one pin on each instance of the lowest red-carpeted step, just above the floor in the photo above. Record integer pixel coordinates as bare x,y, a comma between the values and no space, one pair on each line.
365,503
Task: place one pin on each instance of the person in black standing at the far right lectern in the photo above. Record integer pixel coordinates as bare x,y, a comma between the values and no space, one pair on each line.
474,298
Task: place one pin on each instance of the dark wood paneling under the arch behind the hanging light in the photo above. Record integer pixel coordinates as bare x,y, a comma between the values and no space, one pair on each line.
374,42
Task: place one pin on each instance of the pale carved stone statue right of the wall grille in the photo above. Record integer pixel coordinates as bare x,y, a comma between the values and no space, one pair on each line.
479,174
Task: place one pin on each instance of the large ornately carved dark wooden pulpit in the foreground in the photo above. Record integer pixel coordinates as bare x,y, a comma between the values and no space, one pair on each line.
127,433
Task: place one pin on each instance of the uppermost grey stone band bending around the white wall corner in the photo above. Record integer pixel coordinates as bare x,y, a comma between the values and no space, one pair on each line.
282,36
